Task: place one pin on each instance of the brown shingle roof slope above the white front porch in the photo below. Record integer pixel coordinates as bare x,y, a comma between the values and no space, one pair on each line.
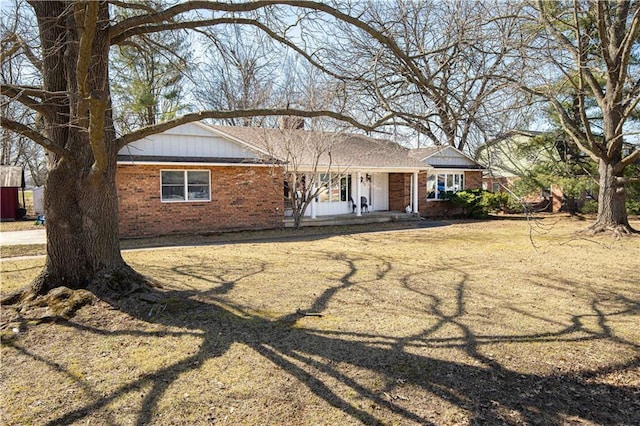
342,150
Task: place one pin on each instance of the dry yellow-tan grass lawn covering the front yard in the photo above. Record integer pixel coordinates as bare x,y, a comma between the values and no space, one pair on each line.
498,322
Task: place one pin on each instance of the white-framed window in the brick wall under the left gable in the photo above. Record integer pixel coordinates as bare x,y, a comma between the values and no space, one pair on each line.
185,185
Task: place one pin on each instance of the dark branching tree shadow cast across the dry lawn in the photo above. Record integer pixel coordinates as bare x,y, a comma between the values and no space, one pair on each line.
490,393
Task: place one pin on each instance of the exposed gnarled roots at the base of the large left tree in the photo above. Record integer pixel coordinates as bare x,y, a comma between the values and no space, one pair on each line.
45,300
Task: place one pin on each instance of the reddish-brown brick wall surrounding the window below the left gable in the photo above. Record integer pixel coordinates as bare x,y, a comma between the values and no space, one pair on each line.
241,198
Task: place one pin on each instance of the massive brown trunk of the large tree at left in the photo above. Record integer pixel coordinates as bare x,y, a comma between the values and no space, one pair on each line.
83,249
